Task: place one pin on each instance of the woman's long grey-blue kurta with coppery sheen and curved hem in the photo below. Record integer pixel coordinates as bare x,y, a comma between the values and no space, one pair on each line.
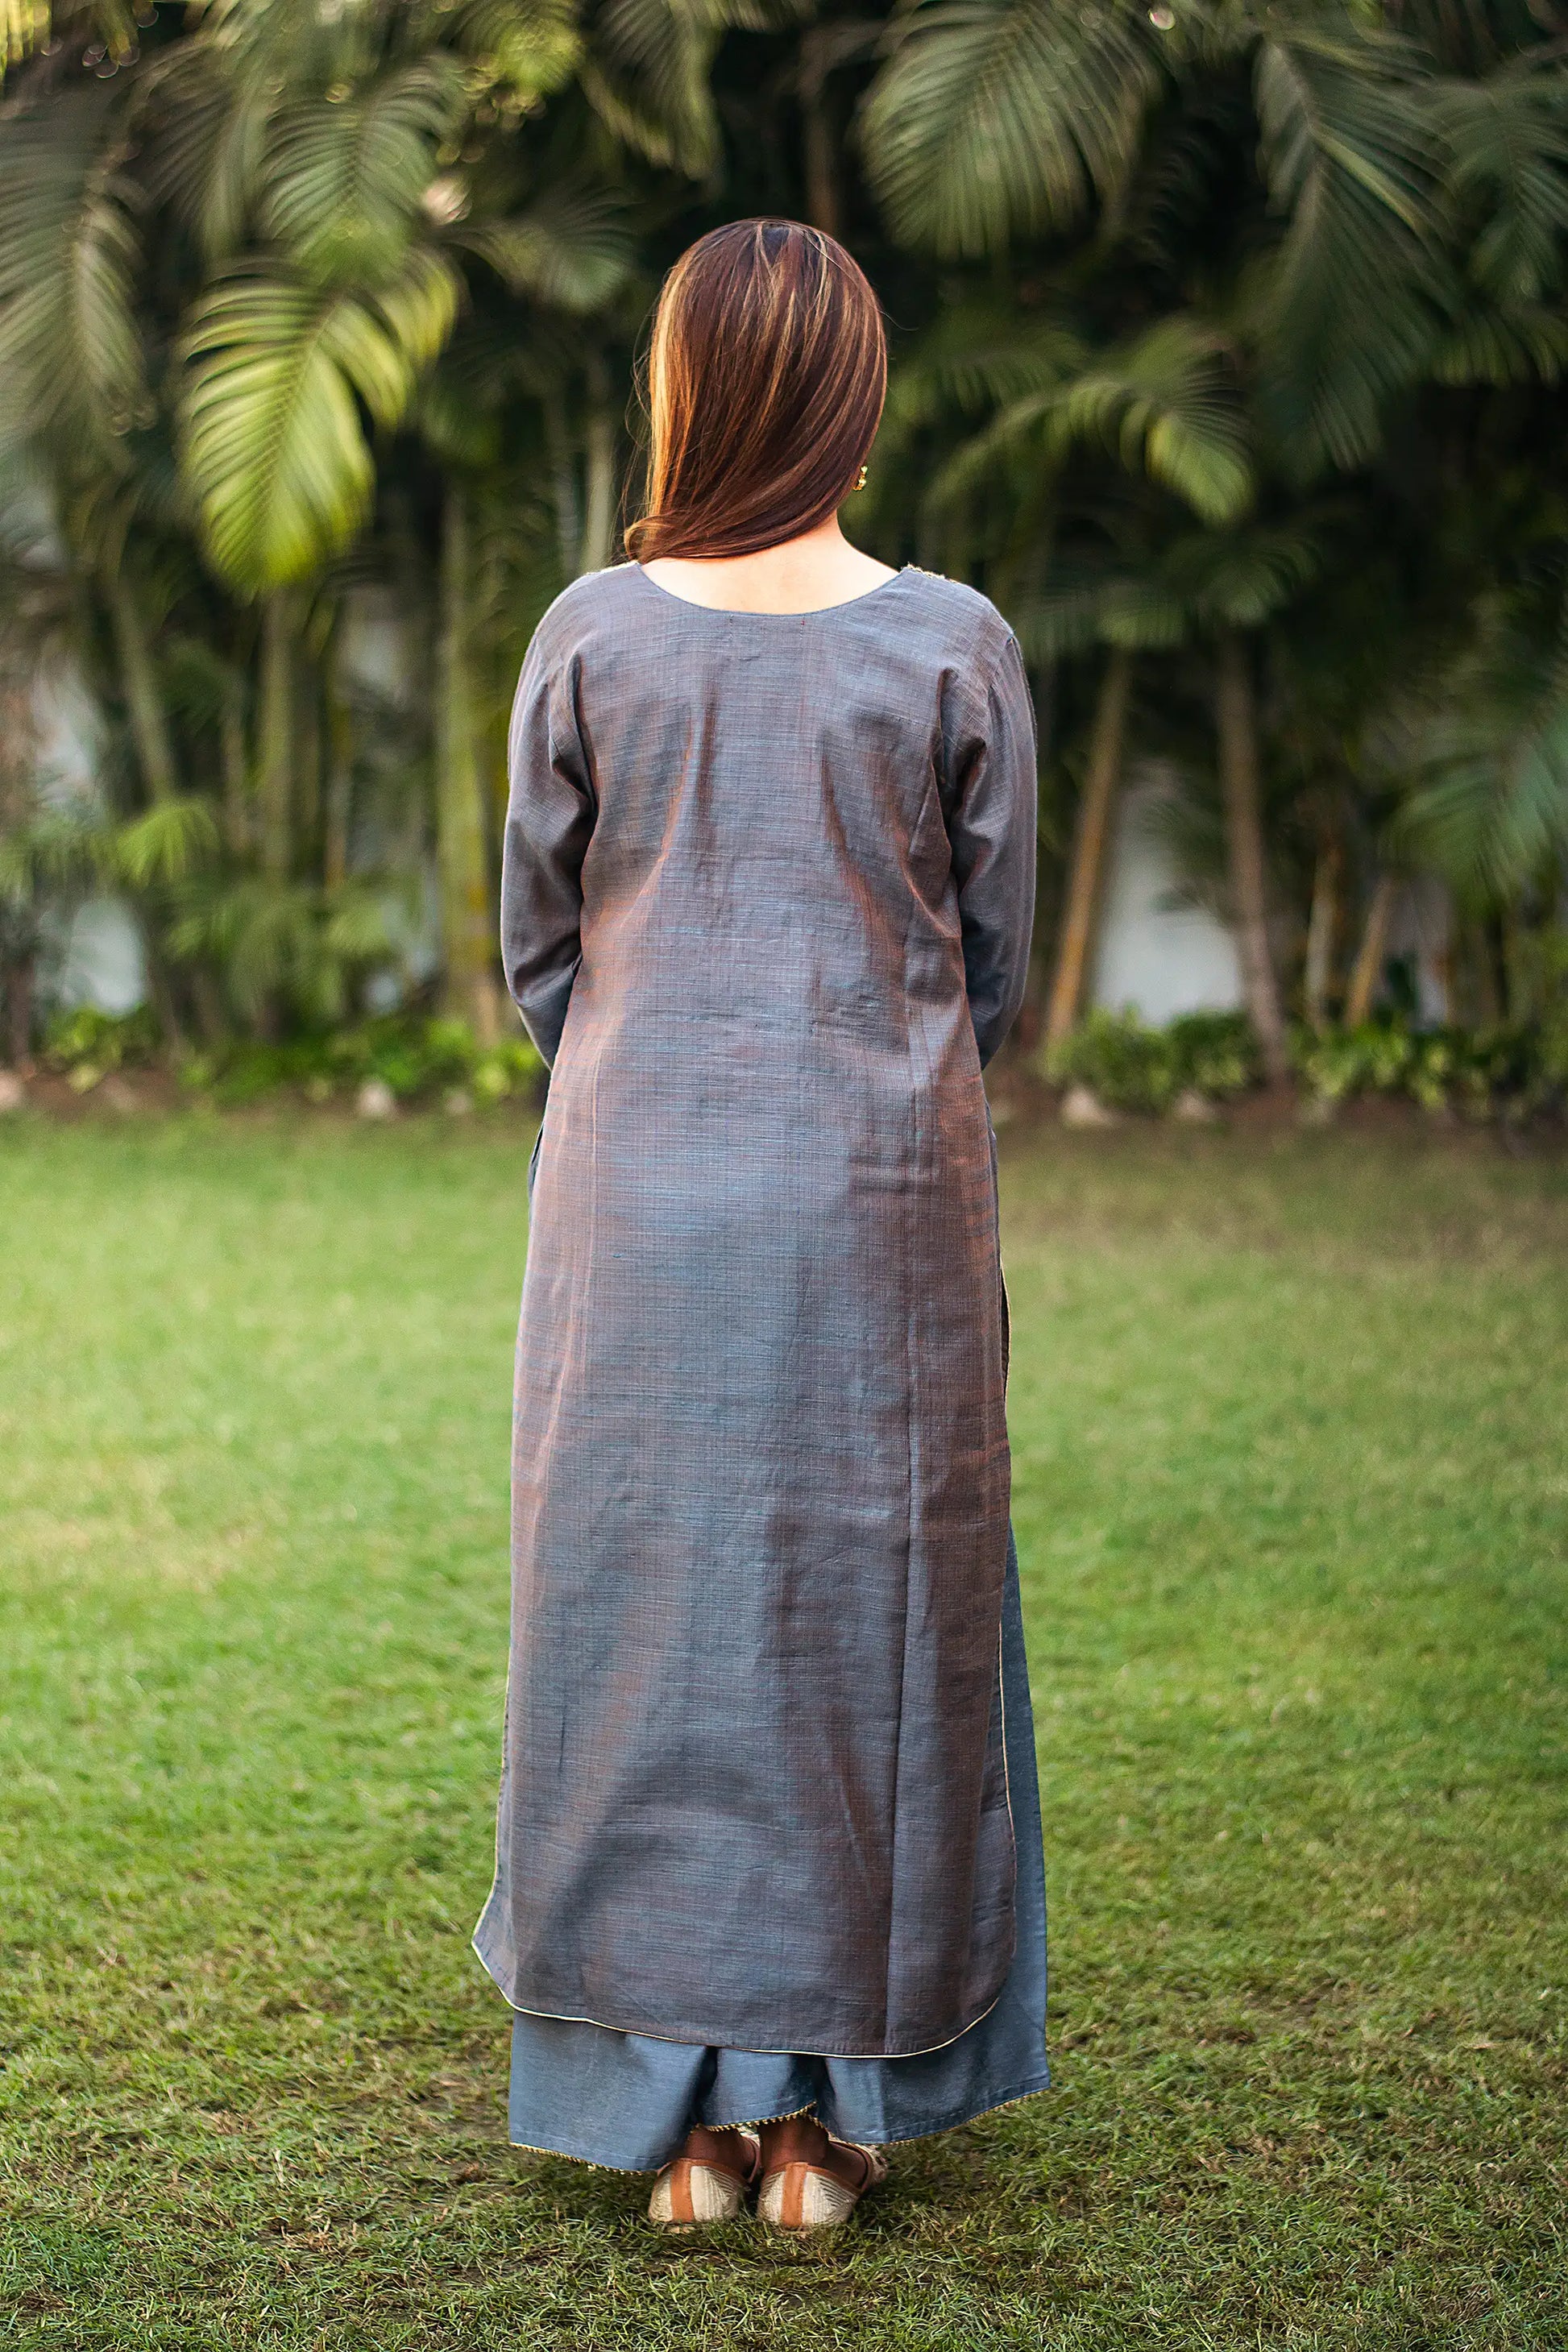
765,909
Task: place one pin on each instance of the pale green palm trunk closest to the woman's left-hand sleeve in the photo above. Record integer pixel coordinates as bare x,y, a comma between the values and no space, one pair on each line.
460,794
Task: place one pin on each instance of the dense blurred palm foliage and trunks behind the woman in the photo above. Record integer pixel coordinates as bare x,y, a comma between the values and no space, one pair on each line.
1226,359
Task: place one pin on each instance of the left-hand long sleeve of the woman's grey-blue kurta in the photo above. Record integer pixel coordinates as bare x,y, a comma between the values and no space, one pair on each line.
549,824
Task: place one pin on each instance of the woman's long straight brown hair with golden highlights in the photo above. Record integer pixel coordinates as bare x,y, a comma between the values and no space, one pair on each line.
768,375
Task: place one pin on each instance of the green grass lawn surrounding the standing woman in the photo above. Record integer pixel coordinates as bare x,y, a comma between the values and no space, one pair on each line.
1292,1490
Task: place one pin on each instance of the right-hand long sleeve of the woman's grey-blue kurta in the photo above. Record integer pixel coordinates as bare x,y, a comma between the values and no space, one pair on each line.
993,827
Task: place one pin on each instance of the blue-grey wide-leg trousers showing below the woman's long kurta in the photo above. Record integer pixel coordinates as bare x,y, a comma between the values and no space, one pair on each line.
629,2102
